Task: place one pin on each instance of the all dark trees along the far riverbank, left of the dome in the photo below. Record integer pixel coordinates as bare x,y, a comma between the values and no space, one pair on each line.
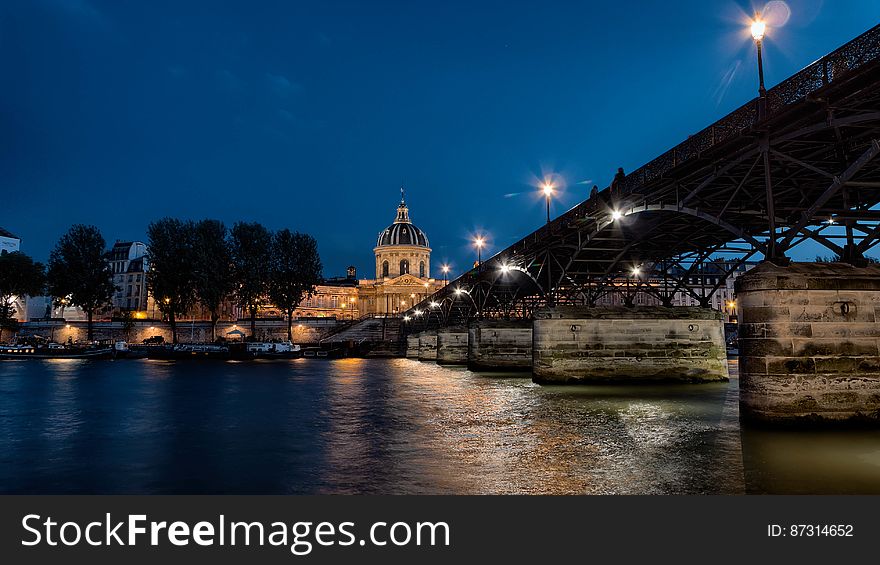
189,263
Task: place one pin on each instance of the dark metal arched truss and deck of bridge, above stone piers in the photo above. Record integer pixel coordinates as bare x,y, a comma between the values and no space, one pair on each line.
800,164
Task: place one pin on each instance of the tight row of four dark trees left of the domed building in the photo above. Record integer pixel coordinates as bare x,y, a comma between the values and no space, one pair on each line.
204,263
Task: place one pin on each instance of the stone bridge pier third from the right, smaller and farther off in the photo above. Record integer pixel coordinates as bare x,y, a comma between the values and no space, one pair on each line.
495,345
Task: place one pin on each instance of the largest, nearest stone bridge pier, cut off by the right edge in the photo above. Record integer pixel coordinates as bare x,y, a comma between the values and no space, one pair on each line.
809,341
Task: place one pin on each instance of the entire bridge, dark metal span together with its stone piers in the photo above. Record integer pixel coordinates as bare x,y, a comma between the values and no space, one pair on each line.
798,163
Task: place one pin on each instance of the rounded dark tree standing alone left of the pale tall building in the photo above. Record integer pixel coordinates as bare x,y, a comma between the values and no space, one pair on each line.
79,271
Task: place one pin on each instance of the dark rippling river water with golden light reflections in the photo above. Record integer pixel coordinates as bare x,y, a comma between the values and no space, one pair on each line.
393,426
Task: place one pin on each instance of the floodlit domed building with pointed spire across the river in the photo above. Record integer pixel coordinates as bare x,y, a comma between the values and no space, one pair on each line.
403,268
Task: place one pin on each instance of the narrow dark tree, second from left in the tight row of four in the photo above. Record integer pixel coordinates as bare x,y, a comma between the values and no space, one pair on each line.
213,268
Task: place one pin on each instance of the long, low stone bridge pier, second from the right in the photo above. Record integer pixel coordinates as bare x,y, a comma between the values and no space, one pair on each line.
646,343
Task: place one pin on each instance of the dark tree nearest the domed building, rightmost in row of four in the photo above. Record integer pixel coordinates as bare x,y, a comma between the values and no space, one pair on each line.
295,271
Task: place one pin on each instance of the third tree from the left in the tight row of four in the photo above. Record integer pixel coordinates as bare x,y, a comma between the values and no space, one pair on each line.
250,245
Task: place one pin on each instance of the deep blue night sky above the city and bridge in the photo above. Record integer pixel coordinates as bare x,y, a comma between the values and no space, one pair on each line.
310,115
